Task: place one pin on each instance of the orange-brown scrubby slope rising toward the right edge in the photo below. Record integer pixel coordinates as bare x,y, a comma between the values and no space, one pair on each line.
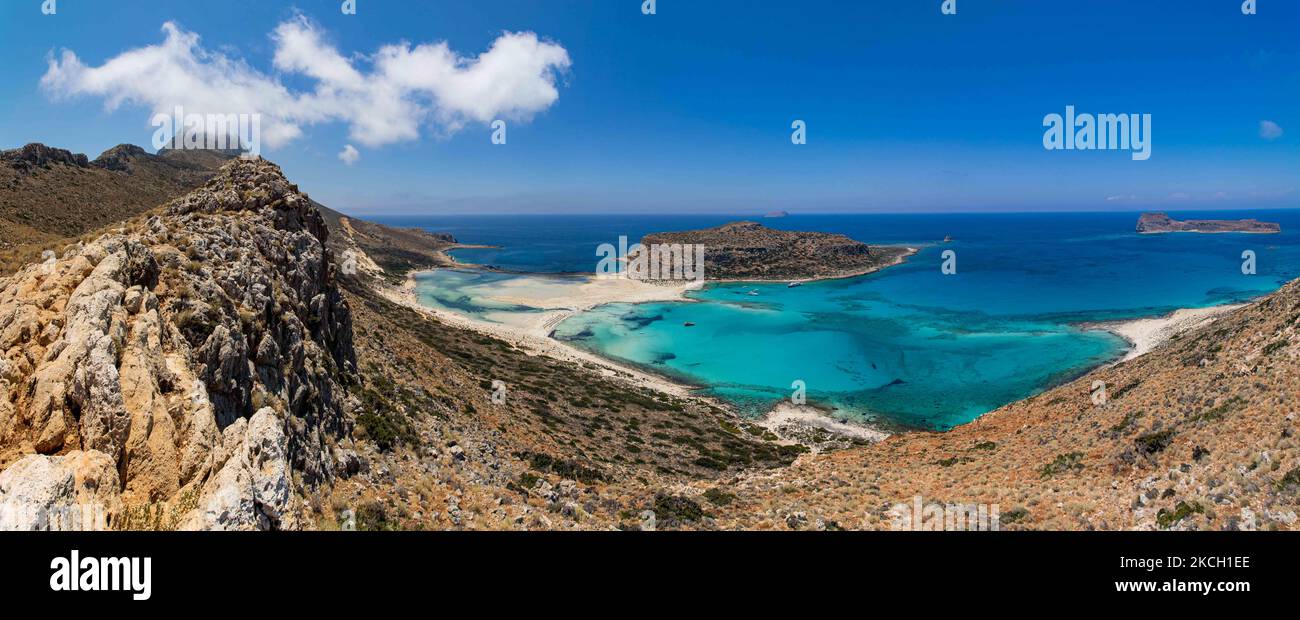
1198,435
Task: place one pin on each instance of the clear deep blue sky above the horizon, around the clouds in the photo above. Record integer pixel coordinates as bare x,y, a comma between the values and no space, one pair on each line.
691,110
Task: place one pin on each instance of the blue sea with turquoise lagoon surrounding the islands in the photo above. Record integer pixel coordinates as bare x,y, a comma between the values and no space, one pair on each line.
907,346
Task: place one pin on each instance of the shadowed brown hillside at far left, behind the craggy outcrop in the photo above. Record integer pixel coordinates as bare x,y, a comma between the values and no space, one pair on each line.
51,194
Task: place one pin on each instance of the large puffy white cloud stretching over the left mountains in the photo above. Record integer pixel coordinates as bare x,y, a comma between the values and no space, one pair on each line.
387,98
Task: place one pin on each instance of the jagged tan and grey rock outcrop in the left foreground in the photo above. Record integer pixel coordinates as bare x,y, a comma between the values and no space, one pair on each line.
151,346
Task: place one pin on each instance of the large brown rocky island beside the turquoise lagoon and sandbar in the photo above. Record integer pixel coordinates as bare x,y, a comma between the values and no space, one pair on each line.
749,252
